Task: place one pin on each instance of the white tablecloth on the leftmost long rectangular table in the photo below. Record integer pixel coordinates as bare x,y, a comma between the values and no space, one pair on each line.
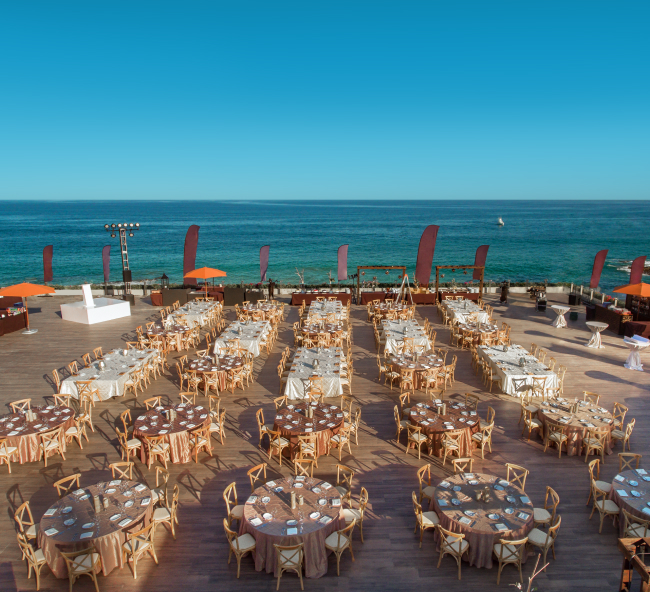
108,382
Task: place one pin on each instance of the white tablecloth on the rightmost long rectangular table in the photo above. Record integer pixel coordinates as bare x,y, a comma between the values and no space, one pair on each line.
506,365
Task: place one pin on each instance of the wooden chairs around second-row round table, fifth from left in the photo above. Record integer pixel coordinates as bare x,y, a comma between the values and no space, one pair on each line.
555,433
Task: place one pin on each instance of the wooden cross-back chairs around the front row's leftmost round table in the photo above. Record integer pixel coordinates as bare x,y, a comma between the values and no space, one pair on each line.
139,542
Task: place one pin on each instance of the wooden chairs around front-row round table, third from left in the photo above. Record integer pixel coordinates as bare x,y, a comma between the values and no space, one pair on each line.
546,522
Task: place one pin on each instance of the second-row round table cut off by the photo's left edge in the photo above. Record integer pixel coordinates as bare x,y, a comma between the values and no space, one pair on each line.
24,435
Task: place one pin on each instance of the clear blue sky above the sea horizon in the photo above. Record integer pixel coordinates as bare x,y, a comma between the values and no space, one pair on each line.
325,100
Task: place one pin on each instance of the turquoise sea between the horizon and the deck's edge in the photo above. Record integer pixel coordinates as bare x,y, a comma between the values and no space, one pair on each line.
540,240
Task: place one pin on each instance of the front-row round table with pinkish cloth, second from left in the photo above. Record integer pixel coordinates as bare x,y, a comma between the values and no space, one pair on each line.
270,519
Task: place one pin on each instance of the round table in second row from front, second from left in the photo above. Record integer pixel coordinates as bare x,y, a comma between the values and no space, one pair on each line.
154,422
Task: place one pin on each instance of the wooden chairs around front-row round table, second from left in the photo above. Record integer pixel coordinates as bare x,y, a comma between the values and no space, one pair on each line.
291,557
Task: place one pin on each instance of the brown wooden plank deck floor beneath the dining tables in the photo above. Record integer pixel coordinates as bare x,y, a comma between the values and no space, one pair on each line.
390,558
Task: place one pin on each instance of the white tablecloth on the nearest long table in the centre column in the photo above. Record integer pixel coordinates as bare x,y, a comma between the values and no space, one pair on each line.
329,362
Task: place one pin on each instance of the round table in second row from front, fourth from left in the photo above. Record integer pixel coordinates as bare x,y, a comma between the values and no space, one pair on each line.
434,426
